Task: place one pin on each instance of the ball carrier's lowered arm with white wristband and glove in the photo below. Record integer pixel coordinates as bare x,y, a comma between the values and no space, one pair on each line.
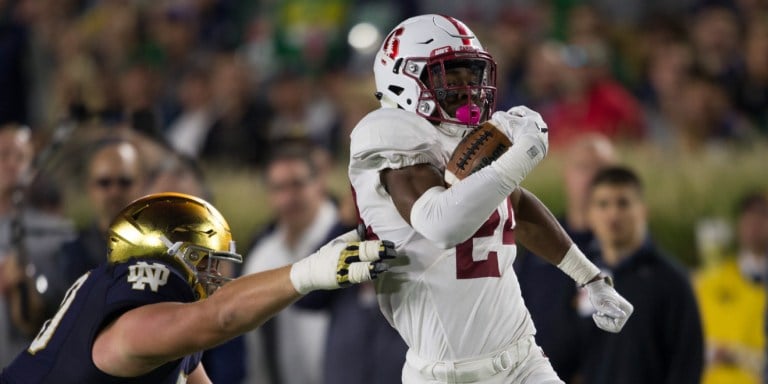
540,232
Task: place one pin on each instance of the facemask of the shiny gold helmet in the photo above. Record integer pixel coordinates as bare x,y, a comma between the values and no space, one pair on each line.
202,265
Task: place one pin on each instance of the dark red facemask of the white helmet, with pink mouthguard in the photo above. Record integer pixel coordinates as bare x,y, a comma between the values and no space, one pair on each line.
458,88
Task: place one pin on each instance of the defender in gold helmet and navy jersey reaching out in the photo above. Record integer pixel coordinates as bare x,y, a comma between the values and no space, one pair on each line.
145,315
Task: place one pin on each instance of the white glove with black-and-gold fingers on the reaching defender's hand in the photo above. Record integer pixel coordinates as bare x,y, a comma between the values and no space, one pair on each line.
342,262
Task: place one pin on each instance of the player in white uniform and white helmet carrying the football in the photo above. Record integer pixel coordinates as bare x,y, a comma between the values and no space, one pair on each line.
457,302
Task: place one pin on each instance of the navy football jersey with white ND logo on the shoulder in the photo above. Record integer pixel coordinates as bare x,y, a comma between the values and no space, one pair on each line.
61,352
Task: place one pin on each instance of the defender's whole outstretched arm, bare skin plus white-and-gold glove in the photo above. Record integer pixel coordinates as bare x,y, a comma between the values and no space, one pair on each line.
147,337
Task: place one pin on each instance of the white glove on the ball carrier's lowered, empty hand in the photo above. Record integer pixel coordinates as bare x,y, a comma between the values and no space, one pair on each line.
613,311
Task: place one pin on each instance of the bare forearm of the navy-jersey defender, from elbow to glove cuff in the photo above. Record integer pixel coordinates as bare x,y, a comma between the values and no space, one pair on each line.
239,306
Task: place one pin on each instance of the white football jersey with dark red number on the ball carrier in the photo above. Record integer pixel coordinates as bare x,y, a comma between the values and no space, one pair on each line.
447,304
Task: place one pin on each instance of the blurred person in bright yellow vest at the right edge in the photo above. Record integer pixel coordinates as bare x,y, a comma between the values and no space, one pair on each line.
732,300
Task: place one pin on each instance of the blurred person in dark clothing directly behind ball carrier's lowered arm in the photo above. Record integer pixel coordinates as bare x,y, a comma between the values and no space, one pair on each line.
549,294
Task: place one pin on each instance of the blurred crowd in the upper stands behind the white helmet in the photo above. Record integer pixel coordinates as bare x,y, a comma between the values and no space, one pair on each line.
219,79
